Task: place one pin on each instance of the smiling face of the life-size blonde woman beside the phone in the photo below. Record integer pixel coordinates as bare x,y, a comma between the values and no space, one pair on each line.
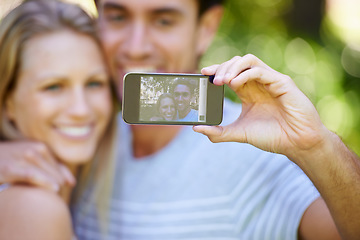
63,102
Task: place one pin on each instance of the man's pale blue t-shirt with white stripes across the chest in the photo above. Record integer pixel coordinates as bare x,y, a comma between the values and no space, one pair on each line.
195,189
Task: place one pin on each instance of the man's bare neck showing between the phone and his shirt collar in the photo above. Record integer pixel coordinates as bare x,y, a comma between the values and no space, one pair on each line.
148,139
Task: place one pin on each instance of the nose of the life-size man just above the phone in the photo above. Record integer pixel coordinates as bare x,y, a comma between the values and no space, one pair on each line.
138,44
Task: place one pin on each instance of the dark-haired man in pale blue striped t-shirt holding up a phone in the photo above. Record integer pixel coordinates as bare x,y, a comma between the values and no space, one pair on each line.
173,183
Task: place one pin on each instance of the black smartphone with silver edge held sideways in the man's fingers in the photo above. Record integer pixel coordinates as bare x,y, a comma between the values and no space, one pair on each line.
171,99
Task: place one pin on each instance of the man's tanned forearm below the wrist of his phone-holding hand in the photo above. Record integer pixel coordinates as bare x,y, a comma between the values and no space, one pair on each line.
335,171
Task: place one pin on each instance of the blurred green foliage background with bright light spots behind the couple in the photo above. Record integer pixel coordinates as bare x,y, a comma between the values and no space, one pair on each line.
315,42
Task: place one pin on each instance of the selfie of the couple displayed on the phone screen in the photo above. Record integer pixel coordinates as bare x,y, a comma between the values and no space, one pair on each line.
164,98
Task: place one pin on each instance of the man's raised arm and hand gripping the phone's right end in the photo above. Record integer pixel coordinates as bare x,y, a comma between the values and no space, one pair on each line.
278,117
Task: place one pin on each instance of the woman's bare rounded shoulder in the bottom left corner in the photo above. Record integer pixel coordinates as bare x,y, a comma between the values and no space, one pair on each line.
33,213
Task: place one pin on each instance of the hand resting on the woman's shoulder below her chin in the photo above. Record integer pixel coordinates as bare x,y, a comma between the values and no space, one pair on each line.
32,163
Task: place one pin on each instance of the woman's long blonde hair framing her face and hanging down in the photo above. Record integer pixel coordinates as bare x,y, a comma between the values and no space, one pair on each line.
33,18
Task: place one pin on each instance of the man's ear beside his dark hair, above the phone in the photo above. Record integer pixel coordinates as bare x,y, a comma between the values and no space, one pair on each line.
208,26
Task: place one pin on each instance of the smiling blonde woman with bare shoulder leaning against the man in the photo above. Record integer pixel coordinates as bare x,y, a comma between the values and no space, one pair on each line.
55,89
